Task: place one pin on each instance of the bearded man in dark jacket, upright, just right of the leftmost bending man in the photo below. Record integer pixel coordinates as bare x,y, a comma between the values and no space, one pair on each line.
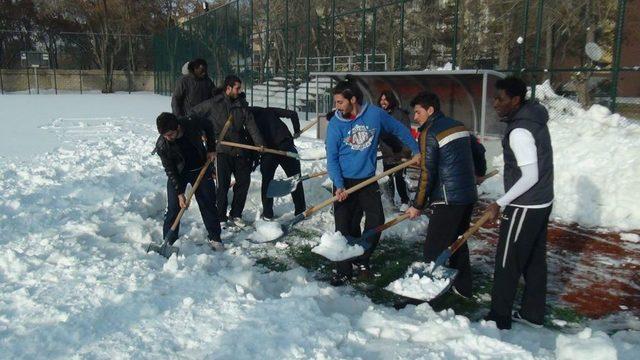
234,161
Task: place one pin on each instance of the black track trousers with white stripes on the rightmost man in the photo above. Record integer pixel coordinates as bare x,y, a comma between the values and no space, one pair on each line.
522,251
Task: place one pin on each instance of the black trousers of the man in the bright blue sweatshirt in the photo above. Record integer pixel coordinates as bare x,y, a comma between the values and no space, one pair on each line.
348,214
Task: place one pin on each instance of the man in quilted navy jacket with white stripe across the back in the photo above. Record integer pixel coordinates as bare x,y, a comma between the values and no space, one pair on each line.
447,185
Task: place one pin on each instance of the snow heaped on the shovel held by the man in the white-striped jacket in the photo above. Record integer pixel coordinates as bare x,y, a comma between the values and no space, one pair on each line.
414,286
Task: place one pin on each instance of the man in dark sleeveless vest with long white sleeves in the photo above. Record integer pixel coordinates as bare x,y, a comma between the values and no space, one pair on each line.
528,183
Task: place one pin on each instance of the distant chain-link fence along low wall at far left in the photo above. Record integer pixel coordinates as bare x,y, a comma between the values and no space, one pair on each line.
75,62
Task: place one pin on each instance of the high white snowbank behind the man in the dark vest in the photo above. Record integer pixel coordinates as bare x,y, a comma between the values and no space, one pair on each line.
596,164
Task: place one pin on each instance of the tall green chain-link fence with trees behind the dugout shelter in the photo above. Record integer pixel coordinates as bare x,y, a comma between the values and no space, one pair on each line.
588,50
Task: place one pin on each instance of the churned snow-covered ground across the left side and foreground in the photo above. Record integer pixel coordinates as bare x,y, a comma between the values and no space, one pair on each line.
81,195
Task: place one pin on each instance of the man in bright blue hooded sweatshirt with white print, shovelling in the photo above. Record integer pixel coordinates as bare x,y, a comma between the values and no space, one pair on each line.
352,144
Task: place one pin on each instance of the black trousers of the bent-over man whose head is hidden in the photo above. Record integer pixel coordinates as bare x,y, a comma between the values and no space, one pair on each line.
268,166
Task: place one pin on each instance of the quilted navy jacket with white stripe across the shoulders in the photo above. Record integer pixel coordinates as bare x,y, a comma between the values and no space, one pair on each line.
446,167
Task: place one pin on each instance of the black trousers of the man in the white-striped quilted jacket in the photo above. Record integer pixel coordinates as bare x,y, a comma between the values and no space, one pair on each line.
446,224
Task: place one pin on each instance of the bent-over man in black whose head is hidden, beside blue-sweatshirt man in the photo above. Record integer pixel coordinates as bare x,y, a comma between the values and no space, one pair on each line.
276,135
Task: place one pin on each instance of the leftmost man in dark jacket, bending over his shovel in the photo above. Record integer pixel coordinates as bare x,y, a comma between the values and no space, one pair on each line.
183,154
